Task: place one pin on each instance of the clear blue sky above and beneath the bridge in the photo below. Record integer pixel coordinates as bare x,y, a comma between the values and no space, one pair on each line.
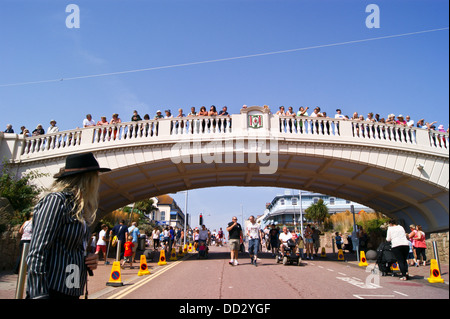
401,75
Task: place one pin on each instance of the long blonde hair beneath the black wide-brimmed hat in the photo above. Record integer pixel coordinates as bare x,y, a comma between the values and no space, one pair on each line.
85,189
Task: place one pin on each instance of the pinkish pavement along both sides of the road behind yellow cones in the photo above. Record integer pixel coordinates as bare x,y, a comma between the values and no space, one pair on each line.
97,284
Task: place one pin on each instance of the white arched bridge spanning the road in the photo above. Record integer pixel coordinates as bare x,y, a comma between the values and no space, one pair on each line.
402,172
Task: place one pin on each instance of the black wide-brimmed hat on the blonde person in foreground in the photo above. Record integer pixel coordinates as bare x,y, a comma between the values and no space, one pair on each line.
80,163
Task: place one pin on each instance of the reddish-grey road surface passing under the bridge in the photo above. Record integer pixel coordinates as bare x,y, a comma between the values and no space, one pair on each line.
214,278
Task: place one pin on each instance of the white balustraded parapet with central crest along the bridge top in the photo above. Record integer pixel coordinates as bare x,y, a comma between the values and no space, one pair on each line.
16,148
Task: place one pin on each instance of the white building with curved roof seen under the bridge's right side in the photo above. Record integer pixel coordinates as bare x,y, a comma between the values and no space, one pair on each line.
284,208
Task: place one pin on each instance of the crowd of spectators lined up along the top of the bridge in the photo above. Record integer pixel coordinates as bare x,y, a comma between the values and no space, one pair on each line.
290,112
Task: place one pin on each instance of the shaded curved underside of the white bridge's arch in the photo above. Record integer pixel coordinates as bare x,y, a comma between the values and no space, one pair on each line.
406,197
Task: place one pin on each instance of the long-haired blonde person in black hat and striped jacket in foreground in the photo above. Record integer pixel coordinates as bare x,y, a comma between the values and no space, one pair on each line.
57,261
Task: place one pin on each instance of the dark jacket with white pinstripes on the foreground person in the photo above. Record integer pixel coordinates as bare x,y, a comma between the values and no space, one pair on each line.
56,255
